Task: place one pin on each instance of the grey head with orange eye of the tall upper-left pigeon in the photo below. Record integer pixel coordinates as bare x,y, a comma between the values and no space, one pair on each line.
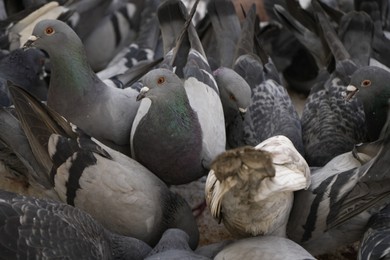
49,34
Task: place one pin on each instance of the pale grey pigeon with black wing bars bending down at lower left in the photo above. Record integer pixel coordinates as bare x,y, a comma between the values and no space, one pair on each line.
120,193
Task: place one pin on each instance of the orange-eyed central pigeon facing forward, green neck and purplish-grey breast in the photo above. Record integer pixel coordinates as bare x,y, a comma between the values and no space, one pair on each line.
167,137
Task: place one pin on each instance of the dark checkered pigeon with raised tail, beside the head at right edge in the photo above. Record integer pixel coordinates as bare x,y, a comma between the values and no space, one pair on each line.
330,124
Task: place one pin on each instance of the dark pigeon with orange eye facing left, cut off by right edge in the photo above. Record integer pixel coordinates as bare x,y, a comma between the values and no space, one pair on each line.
369,85
